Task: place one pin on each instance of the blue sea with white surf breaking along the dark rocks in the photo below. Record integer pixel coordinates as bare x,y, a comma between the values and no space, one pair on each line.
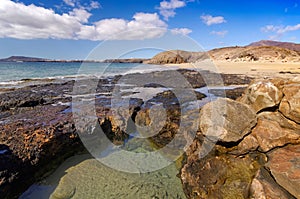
16,72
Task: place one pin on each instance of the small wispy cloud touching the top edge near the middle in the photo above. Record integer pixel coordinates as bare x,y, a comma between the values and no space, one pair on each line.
167,8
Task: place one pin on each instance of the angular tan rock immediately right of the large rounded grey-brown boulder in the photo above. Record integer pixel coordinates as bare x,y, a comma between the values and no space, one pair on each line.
274,130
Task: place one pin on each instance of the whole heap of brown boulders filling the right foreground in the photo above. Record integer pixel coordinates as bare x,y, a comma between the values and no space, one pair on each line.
256,152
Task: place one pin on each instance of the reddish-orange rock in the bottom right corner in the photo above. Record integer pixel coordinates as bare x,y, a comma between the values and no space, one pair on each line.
284,166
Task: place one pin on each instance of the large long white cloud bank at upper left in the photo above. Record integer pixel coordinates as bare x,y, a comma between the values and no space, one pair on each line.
33,22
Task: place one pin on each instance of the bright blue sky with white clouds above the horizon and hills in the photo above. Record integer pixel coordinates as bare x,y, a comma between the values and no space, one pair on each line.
70,29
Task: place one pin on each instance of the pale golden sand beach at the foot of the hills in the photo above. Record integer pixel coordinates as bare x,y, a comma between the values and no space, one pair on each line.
254,69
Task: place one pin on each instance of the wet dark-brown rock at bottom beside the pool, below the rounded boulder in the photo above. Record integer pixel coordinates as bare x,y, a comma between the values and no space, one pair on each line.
218,177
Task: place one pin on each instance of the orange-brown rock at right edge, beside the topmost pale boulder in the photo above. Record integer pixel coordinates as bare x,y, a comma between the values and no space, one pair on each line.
290,105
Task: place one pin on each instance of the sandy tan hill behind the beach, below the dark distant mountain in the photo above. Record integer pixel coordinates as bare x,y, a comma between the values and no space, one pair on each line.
255,53
